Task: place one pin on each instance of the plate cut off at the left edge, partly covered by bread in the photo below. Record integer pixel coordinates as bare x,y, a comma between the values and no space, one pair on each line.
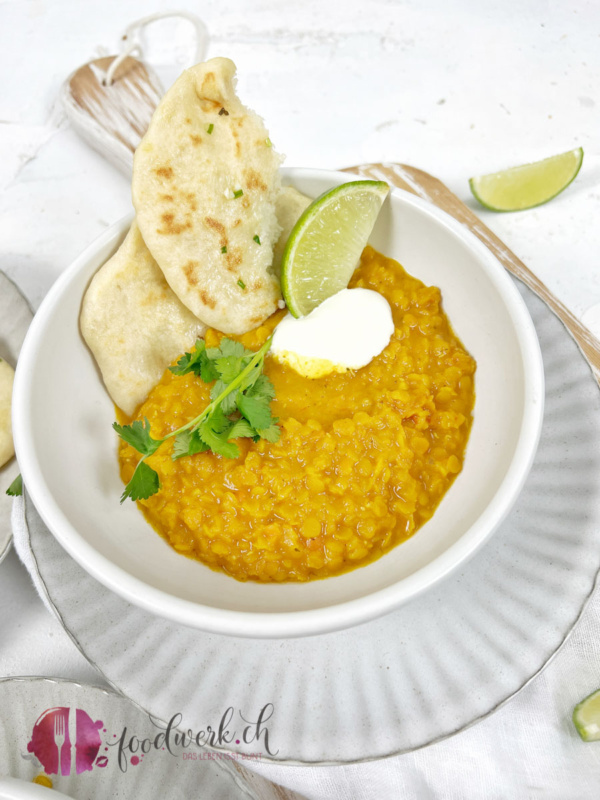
15,319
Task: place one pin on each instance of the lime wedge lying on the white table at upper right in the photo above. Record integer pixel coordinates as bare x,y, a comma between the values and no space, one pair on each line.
528,185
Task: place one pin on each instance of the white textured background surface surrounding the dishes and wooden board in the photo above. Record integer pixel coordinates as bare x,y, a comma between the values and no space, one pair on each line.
454,88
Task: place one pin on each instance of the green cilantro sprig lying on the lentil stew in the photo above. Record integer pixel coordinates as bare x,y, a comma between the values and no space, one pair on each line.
240,408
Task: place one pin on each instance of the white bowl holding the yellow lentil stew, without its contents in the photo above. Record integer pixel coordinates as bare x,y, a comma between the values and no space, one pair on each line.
67,449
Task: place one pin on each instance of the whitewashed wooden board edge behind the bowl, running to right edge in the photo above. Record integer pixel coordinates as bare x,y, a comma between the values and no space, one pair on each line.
429,188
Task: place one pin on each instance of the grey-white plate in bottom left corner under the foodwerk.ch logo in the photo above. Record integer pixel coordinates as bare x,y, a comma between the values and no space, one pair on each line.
96,770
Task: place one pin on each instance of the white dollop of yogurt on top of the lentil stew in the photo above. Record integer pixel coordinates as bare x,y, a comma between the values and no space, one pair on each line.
345,332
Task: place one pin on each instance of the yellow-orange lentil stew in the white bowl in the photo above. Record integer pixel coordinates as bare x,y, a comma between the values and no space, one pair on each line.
361,460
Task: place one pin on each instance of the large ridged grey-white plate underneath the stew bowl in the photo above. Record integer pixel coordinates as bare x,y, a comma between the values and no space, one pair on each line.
441,662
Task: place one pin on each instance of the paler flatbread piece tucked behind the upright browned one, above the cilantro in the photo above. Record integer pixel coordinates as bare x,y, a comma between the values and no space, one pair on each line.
134,324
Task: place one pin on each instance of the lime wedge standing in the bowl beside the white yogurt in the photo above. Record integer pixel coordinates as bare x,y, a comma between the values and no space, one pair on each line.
326,243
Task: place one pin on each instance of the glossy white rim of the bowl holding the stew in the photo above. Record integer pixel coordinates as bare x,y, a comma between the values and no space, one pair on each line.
329,618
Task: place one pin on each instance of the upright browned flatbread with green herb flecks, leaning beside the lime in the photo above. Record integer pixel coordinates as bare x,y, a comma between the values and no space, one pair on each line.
184,184
